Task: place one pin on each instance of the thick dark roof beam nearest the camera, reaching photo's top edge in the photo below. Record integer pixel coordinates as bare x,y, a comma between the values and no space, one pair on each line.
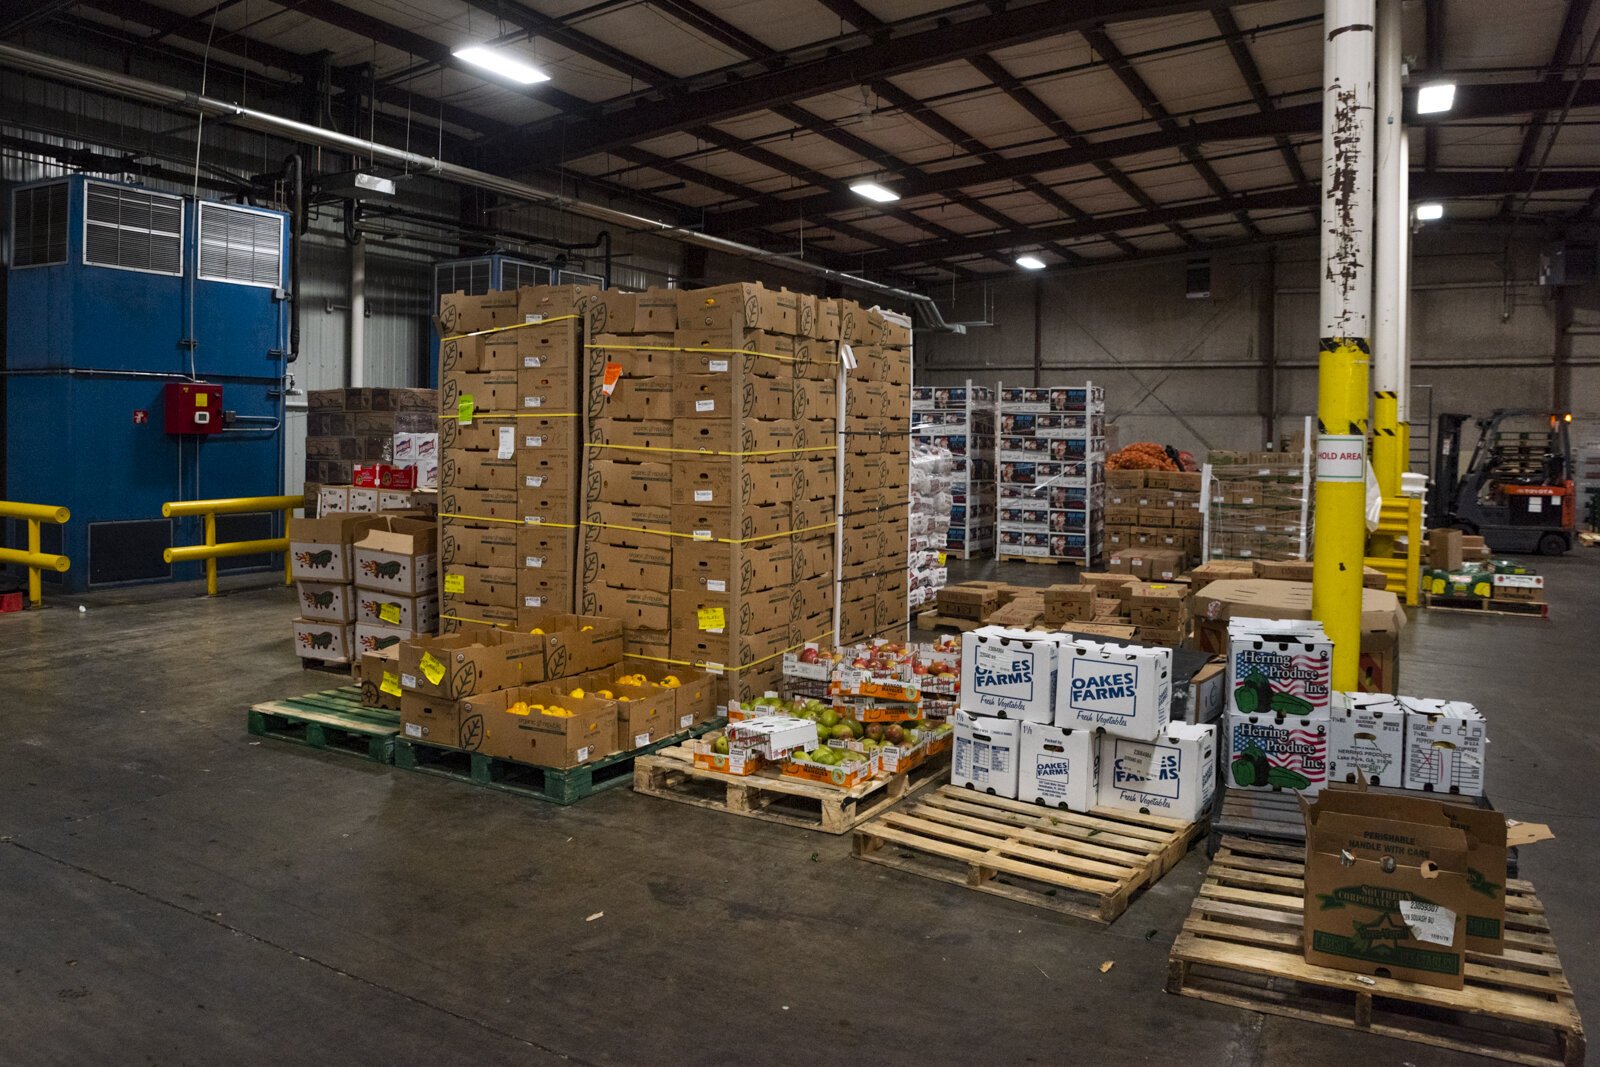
919,49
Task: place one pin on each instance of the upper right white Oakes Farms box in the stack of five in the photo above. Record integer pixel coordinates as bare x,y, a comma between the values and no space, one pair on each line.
1124,689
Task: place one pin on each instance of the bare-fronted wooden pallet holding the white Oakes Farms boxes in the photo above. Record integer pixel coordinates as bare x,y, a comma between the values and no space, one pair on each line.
1089,866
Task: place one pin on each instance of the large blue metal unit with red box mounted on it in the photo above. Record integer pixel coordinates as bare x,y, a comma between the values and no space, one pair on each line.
113,294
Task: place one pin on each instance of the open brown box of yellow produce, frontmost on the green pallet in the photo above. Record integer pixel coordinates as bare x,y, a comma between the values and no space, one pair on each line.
514,732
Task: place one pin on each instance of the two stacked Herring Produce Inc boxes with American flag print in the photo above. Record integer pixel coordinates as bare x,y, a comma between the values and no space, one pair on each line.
1281,697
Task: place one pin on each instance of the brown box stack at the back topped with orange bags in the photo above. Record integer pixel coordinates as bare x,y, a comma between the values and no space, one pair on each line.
1154,513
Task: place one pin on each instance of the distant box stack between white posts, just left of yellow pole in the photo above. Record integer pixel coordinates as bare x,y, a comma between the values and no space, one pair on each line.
1260,506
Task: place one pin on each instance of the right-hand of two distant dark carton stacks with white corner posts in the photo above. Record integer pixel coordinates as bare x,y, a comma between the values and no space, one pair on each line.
1052,471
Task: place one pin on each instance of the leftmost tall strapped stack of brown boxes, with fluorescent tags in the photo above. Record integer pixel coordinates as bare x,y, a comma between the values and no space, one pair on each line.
510,431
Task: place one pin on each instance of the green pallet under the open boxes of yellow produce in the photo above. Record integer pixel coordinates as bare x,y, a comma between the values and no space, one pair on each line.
540,783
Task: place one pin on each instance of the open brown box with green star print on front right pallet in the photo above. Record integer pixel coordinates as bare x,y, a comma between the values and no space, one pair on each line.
1386,897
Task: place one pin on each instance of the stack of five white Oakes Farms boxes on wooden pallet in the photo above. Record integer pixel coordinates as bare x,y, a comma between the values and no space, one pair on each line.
1079,725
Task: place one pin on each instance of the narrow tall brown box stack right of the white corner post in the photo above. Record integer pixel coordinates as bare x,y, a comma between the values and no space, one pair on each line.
876,522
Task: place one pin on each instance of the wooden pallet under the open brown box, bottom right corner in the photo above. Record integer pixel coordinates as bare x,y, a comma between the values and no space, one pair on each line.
1242,946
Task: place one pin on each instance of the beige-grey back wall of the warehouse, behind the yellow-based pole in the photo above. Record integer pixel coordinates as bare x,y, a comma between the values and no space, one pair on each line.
1186,372
